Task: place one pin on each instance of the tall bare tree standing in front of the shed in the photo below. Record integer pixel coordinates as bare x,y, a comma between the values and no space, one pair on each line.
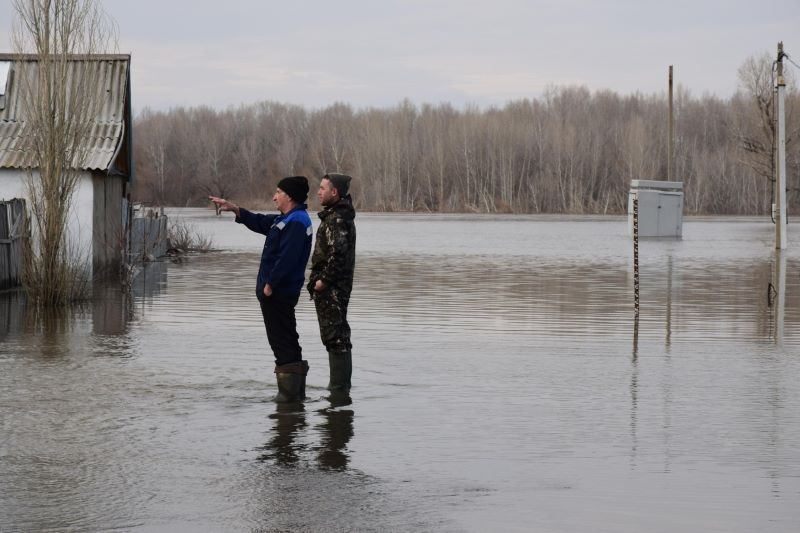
60,105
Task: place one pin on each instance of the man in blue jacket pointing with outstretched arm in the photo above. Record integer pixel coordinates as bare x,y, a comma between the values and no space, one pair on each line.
281,276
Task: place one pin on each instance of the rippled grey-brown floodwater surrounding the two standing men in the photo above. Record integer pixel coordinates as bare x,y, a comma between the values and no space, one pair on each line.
501,383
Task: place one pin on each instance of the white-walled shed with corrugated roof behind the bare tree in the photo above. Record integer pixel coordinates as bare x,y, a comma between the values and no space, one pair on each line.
98,222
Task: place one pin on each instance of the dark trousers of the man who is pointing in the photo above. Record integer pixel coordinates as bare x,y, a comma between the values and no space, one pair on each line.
279,319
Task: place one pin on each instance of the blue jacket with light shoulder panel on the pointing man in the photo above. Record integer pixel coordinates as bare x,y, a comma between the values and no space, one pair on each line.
286,248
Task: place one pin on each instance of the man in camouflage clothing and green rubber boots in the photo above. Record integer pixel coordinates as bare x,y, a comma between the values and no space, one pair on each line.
331,279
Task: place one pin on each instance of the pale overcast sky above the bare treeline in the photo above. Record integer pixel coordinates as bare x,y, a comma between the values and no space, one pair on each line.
378,52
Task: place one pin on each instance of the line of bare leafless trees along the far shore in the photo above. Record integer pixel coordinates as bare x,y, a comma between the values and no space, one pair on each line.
569,151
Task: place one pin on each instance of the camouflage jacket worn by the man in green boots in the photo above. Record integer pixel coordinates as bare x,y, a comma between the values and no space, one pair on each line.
334,257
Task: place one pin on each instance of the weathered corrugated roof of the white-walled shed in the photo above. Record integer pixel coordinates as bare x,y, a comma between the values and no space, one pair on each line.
110,89
